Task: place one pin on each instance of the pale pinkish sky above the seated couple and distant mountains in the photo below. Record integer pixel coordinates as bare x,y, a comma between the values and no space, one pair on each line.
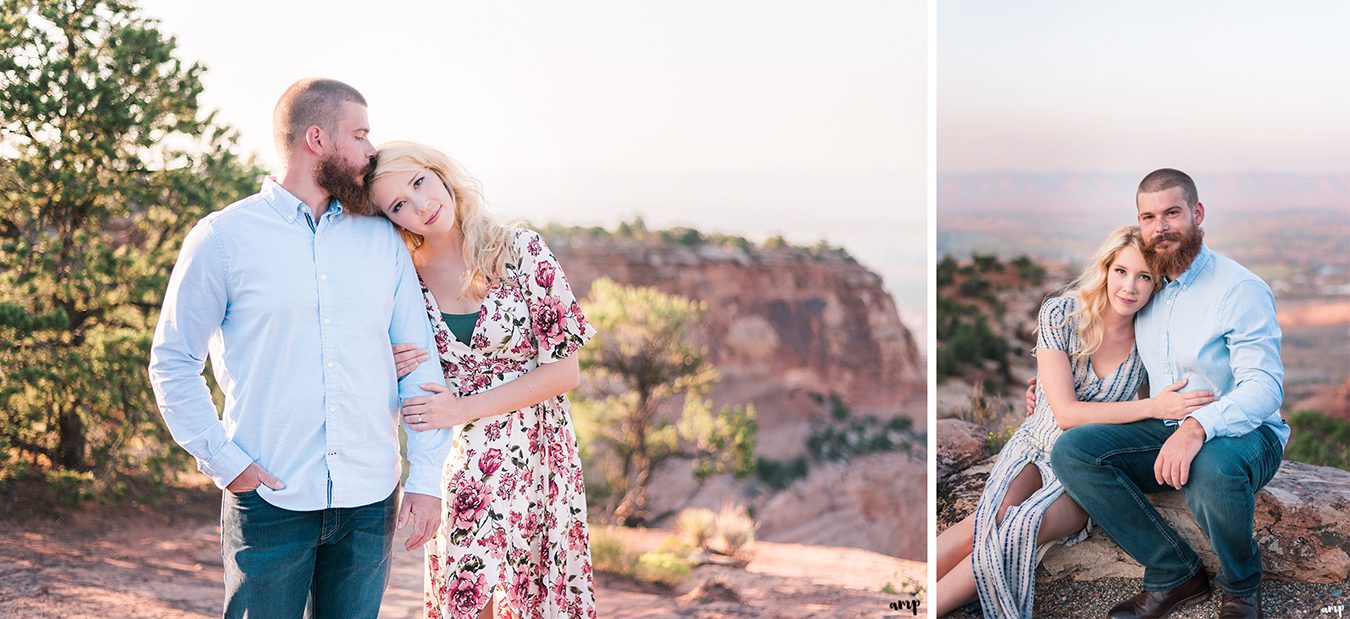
1128,87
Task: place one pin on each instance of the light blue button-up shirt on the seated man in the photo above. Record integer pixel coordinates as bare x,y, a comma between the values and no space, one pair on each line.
1216,326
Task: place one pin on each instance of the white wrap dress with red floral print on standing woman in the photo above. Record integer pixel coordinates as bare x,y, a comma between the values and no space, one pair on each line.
514,529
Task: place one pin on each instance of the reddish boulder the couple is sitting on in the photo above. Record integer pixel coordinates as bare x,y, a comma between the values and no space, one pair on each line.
1301,525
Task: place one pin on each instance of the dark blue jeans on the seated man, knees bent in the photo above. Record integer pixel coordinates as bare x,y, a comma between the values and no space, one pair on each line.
1109,469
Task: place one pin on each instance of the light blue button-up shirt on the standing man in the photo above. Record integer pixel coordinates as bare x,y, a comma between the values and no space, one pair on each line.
298,314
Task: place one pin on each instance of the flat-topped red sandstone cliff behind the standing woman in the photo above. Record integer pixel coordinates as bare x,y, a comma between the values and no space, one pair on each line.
820,323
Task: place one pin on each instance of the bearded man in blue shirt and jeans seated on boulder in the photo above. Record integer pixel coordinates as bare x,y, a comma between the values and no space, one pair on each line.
1213,324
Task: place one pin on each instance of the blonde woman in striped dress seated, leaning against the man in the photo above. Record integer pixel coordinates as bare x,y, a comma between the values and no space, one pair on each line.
1087,373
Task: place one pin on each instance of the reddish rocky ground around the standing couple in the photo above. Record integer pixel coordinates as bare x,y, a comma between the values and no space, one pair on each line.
155,566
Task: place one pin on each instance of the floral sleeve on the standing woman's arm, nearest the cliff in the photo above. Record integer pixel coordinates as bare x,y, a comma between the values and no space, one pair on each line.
557,322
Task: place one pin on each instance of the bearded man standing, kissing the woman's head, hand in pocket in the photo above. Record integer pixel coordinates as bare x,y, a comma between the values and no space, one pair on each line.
298,304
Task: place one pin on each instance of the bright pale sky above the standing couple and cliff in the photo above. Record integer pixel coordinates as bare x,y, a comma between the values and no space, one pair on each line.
753,118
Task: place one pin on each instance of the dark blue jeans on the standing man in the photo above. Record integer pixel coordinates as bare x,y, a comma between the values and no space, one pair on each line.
319,564
